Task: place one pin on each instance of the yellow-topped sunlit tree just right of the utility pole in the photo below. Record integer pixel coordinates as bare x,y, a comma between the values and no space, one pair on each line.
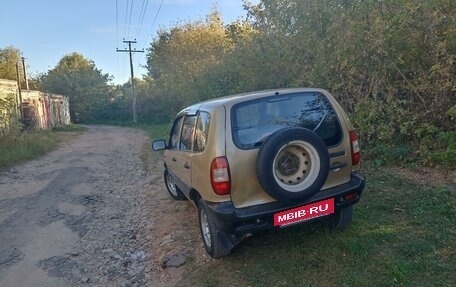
181,56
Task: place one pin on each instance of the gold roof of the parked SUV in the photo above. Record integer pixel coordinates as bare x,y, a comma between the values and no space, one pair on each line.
233,99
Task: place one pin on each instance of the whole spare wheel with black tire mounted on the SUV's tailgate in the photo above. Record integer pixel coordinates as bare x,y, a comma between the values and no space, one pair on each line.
293,164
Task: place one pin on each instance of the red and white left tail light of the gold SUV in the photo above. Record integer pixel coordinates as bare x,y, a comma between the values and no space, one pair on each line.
220,176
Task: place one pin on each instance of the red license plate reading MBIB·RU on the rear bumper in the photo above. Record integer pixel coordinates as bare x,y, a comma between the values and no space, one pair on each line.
305,212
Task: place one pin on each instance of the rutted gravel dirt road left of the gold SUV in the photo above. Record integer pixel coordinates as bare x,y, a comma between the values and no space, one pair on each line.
94,213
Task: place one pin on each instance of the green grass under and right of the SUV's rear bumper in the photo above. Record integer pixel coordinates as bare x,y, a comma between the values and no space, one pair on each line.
402,235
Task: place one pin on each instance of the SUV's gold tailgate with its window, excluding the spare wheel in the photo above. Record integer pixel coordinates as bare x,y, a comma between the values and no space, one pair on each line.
252,122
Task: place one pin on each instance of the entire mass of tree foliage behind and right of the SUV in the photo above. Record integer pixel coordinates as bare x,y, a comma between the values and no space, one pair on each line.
390,63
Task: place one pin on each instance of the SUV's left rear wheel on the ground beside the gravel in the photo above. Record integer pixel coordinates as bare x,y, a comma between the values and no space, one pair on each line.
210,229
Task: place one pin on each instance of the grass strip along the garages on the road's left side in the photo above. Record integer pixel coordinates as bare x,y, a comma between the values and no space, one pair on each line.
30,145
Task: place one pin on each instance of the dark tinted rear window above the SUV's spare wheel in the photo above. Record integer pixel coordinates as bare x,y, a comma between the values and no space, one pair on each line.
253,121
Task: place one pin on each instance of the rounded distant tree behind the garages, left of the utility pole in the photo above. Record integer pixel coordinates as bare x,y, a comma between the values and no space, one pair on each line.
85,85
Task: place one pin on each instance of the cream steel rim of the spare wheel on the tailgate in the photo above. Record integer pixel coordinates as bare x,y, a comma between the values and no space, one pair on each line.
296,166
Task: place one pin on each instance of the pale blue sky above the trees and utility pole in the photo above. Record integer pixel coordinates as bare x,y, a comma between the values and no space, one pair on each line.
46,30
